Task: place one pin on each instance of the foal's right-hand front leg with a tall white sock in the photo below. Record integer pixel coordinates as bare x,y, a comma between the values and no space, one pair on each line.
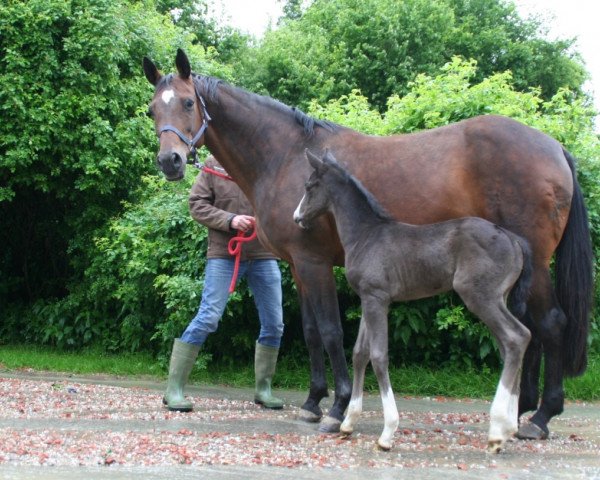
375,312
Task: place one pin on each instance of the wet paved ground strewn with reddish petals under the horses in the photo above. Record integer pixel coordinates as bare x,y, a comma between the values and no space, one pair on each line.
228,437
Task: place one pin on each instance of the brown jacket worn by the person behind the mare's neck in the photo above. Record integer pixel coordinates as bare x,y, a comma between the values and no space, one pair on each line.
214,201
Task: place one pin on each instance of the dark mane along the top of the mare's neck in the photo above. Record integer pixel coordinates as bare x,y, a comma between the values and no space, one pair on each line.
209,86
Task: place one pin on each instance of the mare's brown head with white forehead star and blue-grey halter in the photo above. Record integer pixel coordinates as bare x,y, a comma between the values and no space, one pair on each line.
179,113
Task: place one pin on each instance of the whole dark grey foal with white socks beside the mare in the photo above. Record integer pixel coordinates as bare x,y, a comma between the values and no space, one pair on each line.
391,261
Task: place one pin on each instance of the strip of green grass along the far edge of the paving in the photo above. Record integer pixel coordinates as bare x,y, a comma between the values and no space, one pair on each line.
291,374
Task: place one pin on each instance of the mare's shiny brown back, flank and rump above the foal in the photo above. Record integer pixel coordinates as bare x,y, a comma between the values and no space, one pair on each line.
490,166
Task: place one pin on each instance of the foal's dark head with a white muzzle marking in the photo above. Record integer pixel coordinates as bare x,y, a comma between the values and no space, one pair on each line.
316,200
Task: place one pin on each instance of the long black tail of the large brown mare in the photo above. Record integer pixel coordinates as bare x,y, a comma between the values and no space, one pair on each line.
573,270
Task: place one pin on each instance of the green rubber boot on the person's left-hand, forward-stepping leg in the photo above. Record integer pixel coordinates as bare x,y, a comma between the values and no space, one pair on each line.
182,361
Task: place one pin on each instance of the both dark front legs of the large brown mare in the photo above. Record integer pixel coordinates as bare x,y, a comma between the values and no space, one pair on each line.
323,328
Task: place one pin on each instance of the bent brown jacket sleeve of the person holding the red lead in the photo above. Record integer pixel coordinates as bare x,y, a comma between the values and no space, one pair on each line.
202,208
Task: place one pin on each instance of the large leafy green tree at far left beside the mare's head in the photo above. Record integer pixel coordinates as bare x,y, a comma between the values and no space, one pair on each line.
75,140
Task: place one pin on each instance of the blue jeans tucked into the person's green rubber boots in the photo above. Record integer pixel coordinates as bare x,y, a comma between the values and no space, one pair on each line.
264,280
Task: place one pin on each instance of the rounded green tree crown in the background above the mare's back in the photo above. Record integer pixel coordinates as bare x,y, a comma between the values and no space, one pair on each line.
378,46
